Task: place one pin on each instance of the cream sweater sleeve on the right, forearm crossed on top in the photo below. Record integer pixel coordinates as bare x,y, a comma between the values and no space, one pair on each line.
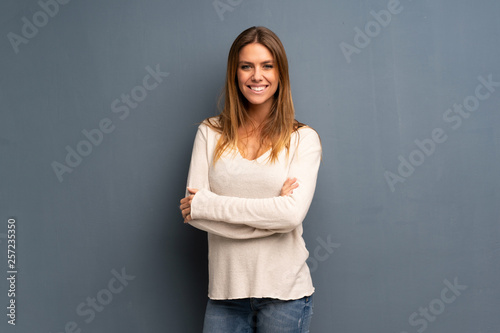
279,214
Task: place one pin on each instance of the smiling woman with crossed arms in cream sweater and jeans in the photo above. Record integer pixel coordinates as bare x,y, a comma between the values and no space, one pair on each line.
250,184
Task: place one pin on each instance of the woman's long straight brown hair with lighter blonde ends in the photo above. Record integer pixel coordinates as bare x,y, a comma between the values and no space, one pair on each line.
280,124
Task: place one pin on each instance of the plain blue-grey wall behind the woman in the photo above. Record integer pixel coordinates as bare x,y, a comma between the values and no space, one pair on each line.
404,229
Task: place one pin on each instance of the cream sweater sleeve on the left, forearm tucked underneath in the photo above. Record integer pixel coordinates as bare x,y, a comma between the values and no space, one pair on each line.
198,178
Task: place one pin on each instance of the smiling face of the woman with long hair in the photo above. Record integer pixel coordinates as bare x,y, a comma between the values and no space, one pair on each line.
257,74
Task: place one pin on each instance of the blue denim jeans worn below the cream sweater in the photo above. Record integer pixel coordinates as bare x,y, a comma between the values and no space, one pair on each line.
258,315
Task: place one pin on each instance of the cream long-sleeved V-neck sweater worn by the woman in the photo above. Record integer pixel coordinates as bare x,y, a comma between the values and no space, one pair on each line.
255,244
